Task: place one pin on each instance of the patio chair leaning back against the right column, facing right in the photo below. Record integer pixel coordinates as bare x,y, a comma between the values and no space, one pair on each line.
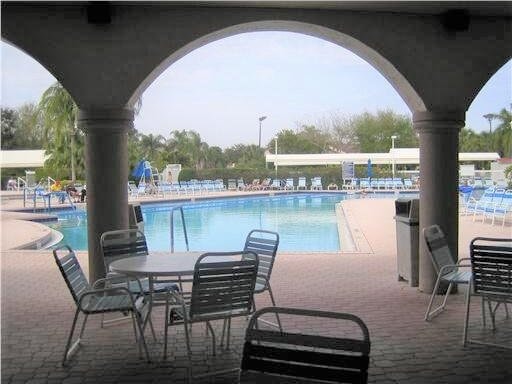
447,268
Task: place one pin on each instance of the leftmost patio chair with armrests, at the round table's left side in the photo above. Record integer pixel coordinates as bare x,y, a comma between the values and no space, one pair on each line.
97,299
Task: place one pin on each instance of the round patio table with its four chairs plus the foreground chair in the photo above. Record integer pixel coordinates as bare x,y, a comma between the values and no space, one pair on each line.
204,287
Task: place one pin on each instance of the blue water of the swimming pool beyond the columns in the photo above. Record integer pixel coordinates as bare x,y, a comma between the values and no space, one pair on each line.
304,221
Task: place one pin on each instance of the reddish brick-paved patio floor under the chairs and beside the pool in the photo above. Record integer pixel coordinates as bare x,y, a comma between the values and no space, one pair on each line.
37,312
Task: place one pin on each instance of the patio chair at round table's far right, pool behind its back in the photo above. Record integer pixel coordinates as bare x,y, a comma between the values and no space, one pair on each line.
264,244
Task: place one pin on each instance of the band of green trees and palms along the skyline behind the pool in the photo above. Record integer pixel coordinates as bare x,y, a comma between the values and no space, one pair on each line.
51,125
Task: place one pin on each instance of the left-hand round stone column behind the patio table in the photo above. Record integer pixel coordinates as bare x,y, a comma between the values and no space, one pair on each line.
106,164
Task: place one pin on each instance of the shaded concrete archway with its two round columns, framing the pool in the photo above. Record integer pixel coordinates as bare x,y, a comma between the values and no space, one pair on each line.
435,56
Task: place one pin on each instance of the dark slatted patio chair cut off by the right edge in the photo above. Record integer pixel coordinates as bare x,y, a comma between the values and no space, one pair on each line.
491,264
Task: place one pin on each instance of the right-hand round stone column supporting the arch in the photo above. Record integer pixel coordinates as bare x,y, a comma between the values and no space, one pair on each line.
439,170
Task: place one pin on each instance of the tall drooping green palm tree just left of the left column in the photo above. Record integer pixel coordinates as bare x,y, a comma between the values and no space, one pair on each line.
62,140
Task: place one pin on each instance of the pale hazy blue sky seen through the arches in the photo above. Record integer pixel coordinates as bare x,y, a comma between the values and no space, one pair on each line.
227,85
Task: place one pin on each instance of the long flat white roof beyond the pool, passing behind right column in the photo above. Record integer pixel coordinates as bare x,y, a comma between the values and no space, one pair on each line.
396,155
